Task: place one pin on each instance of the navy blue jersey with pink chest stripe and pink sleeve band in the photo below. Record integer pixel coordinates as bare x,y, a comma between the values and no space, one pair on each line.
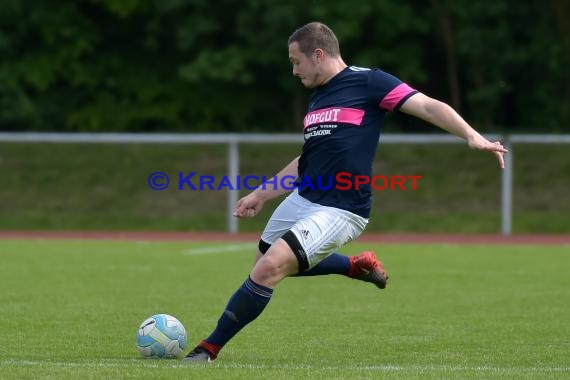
342,128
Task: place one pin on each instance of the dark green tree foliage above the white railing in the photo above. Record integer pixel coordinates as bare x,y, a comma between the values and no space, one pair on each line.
197,65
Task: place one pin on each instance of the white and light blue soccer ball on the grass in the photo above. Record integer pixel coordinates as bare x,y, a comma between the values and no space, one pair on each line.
162,336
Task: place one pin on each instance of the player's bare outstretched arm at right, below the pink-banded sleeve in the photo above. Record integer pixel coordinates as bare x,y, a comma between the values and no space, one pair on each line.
442,115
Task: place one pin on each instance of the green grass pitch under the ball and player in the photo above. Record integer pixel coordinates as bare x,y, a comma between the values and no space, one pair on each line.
70,309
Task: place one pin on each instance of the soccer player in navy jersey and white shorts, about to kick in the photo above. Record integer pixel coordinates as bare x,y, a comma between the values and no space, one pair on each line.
342,128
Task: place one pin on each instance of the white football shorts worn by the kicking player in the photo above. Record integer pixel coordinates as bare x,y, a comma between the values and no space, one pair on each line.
320,229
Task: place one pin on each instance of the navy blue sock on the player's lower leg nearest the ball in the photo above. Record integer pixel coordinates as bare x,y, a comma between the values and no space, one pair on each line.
244,306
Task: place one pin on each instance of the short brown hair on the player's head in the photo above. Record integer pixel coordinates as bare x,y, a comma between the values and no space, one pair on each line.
315,35
